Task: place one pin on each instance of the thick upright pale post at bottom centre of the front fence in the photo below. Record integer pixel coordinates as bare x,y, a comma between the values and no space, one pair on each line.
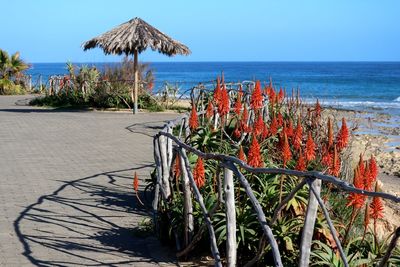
230,212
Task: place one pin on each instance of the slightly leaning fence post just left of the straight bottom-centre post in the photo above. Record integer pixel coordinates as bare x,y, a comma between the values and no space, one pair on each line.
188,205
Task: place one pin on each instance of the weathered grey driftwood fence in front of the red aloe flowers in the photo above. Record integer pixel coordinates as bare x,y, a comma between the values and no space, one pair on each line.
167,146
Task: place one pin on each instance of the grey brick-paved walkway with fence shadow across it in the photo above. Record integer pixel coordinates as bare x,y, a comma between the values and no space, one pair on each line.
66,194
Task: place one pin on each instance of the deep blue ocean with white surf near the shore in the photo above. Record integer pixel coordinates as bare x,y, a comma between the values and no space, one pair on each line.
370,86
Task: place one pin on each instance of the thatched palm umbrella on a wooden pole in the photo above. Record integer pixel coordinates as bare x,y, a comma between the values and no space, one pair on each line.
133,37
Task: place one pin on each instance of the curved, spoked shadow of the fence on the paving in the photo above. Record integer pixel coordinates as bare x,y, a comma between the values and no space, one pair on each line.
87,222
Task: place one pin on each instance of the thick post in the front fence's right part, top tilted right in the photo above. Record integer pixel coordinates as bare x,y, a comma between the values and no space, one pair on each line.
309,223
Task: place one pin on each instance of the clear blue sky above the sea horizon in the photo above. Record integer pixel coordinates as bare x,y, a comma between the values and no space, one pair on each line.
225,30
